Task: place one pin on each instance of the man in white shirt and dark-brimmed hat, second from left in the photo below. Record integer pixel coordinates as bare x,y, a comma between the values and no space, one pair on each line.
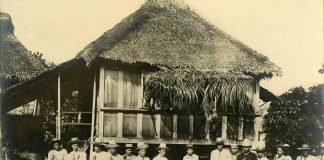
76,154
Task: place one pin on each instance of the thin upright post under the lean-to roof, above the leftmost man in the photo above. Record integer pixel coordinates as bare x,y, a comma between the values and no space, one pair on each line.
58,124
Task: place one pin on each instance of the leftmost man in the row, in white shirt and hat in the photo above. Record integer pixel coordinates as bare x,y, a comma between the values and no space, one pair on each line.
58,152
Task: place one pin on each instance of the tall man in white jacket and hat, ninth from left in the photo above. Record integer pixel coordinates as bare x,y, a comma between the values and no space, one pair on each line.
220,153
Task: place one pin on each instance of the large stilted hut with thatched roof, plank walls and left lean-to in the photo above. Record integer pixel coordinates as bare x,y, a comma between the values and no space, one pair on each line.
162,74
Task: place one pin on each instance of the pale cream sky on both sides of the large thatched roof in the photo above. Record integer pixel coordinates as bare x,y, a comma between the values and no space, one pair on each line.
288,32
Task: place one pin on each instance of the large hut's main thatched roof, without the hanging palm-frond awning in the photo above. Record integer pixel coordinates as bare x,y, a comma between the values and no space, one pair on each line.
167,33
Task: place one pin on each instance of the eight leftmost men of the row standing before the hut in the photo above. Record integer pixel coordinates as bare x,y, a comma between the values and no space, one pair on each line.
108,151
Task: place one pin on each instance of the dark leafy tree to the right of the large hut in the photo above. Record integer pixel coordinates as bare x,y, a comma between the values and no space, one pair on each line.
296,118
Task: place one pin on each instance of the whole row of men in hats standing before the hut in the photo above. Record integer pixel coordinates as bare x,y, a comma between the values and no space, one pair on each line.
108,151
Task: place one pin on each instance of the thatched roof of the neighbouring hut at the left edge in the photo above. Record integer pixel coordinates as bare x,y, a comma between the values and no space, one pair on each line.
16,62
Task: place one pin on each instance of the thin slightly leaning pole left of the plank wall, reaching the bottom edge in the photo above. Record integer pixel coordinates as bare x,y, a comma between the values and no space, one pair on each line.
93,115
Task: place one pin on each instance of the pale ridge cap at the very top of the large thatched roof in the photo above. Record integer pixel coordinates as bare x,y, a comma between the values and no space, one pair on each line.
167,3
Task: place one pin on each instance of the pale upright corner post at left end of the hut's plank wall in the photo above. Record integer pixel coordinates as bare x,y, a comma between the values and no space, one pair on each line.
101,100
